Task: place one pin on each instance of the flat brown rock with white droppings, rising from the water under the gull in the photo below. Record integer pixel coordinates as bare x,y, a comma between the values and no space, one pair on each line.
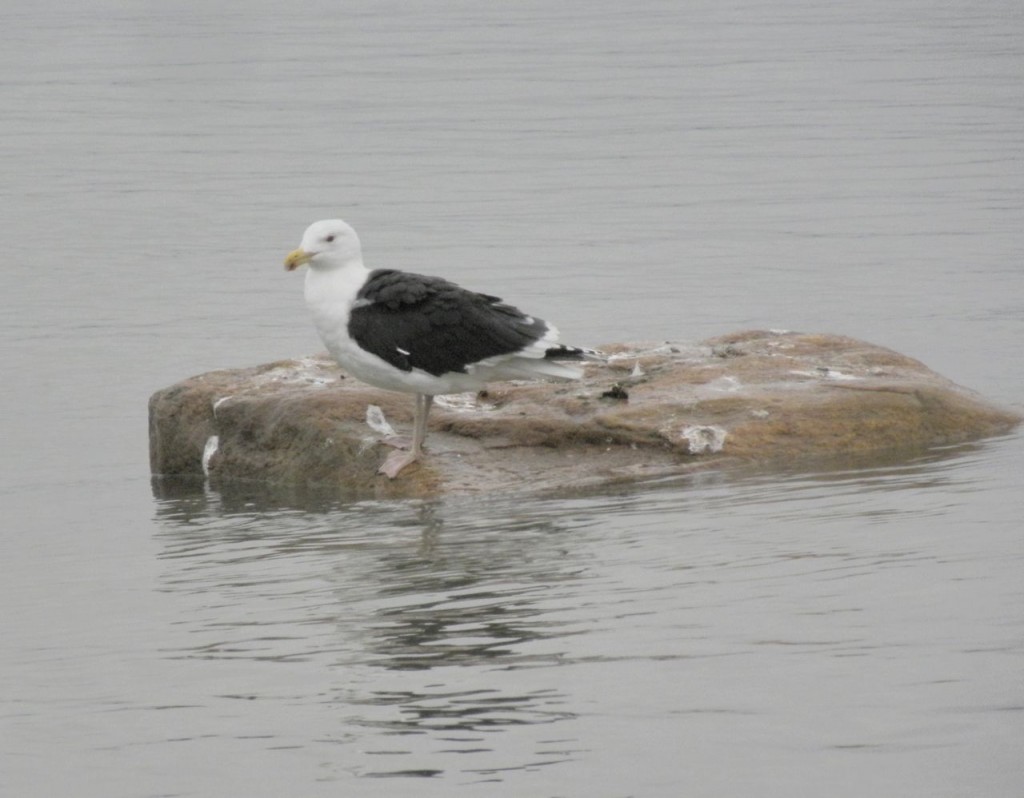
774,400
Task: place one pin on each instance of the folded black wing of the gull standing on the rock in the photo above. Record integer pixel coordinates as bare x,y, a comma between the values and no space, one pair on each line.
419,322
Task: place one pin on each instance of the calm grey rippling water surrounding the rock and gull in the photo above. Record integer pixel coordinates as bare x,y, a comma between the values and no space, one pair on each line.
667,171
